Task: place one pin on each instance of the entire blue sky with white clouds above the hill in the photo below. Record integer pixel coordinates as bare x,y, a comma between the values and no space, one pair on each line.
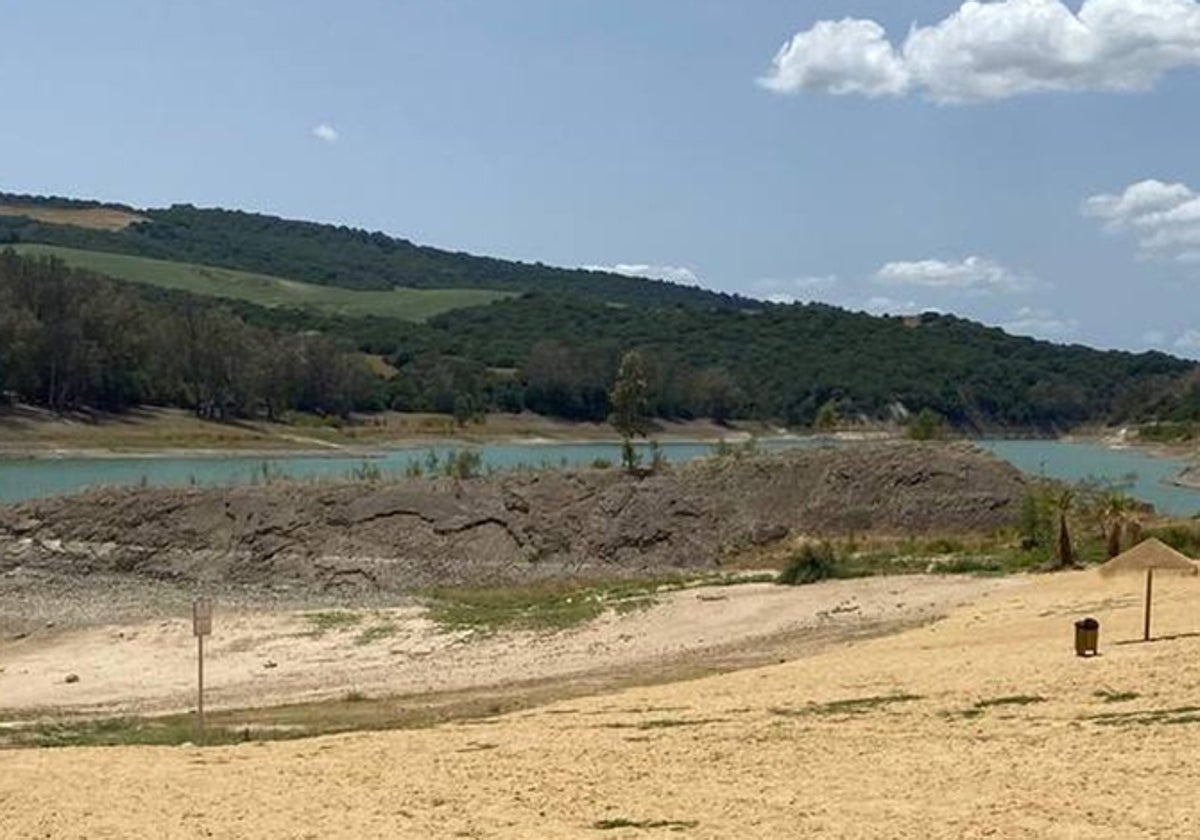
1028,164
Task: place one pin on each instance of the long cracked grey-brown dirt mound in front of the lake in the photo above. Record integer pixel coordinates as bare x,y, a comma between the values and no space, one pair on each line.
399,536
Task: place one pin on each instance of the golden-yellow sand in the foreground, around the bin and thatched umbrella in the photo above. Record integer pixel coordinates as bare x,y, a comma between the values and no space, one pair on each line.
754,754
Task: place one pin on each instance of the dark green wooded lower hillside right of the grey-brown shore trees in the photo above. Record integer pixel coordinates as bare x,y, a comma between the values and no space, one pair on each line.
785,363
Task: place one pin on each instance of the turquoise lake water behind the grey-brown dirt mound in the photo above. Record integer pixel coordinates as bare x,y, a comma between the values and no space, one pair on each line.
23,479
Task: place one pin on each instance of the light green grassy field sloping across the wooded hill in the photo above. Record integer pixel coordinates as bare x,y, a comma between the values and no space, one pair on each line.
268,291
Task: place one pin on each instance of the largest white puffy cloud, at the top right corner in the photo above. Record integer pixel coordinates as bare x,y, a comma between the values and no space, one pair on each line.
994,51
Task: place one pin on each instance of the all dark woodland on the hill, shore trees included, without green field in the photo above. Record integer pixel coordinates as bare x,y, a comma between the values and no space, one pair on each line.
74,339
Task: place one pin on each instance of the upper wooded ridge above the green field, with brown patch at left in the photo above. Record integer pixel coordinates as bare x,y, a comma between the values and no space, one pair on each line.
323,255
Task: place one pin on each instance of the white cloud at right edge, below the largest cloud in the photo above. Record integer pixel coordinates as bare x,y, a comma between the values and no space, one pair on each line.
1165,218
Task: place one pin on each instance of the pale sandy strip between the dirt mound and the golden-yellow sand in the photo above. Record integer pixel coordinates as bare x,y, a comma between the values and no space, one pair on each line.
269,657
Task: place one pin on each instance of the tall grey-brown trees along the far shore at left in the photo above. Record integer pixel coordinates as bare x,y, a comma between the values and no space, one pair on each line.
74,340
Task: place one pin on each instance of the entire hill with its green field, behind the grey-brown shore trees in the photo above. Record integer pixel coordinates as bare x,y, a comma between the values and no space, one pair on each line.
550,341
